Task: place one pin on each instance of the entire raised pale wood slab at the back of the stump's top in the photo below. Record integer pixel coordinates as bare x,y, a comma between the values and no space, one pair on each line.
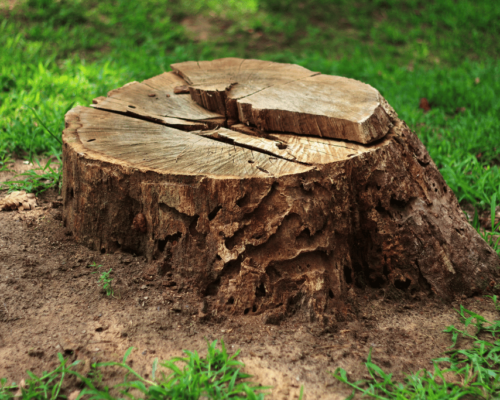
287,98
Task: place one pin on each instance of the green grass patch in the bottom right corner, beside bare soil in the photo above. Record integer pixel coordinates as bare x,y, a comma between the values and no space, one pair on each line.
462,373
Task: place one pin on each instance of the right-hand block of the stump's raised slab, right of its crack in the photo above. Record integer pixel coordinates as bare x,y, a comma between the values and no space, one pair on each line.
322,105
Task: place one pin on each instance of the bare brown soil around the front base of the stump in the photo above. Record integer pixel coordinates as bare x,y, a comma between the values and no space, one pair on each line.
50,302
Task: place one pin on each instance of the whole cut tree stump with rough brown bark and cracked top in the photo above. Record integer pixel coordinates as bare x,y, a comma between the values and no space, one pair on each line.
268,188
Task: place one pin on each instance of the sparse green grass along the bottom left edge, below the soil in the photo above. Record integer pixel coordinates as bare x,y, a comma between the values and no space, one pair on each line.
217,376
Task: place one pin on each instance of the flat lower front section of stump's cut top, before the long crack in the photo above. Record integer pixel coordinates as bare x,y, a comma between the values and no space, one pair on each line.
147,145
